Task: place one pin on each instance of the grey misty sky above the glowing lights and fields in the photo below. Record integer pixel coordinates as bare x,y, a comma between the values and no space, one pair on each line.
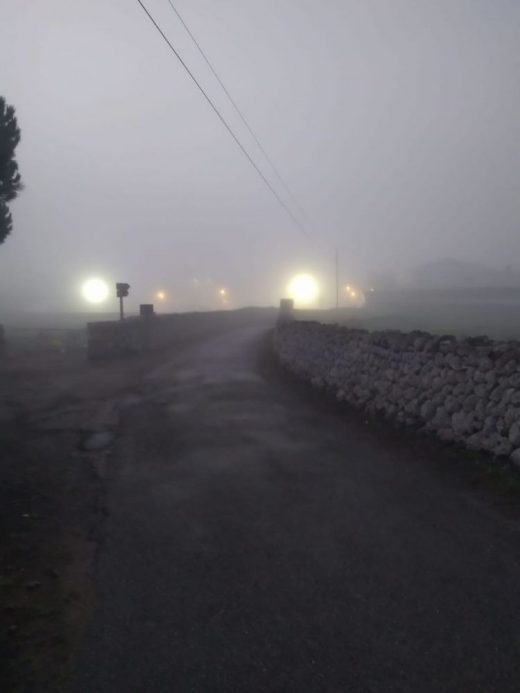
396,124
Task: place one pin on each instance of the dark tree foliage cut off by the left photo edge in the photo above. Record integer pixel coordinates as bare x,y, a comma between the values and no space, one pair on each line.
10,180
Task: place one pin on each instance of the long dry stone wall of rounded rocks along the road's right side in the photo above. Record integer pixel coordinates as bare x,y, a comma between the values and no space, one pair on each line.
465,391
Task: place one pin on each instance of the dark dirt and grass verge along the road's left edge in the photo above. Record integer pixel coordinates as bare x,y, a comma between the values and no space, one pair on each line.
51,503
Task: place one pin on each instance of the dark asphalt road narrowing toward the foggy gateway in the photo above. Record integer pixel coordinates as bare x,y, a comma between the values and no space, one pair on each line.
257,542
